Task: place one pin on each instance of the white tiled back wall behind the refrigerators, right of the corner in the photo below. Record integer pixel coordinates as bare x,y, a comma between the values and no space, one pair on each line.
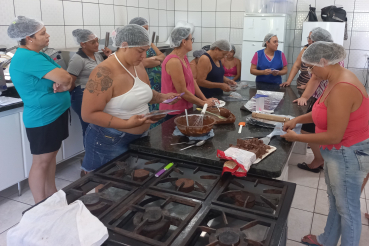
217,19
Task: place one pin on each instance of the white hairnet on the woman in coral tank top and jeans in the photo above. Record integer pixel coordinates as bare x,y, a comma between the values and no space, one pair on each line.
323,54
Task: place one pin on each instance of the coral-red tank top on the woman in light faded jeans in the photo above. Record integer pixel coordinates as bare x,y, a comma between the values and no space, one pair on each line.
357,129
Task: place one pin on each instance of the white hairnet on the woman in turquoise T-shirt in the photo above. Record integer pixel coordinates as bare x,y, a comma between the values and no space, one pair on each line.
23,26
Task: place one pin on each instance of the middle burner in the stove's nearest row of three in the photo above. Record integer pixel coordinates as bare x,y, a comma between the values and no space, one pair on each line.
152,223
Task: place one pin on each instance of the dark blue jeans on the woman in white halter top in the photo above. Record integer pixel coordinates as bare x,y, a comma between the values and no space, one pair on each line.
104,144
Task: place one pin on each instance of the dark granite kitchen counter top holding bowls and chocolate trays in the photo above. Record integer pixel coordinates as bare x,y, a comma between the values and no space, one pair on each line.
159,140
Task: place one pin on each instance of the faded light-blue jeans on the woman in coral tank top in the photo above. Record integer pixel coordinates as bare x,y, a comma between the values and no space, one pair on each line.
345,170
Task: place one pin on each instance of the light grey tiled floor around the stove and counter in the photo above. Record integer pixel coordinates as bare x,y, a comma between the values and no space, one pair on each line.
308,213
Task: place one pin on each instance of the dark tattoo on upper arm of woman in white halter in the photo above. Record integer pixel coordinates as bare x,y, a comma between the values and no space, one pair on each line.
102,81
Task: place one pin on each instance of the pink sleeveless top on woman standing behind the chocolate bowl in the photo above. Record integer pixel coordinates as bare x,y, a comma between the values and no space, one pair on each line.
167,86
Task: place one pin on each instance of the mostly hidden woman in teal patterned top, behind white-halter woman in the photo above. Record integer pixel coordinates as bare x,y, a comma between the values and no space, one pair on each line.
152,64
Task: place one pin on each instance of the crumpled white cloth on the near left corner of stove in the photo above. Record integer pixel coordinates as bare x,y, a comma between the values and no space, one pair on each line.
54,222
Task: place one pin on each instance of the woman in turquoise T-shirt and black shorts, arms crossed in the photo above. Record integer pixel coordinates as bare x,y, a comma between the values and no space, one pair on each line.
43,86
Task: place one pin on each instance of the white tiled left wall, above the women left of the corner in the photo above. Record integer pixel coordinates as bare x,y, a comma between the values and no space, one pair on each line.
100,16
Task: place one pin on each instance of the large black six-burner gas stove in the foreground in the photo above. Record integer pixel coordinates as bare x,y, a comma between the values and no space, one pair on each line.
188,205
